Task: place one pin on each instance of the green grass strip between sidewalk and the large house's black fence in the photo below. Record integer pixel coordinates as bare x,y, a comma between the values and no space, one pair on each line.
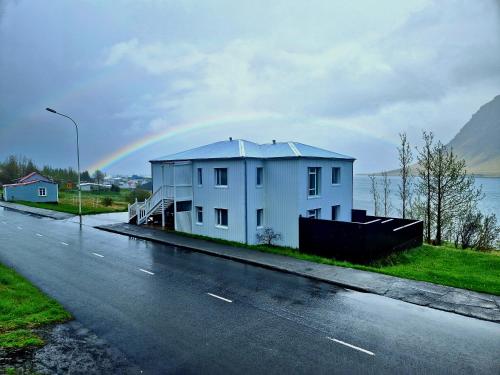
445,265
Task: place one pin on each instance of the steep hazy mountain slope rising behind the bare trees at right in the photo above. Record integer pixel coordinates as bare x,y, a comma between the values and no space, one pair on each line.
478,142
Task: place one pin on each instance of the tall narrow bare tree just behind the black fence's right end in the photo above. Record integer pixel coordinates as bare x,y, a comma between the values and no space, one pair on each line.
405,187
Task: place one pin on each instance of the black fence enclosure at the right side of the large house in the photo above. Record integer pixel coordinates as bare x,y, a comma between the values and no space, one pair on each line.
363,240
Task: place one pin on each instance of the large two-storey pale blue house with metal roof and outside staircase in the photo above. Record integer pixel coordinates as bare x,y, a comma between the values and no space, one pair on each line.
233,189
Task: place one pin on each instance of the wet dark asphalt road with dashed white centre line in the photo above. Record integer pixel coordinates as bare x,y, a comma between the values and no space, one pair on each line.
162,307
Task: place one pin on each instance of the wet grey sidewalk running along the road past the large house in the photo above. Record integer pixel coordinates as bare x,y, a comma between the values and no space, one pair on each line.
459,301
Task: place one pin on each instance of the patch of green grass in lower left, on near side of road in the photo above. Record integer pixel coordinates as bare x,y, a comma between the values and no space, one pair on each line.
22,308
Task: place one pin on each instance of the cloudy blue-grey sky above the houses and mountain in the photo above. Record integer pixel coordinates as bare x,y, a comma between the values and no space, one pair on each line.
149,78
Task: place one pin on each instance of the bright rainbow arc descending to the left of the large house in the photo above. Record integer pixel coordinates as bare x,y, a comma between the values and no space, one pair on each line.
174,131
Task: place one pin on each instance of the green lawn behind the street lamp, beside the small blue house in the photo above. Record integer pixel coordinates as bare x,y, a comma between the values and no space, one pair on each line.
91,202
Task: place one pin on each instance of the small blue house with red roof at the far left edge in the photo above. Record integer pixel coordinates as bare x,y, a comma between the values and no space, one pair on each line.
32,188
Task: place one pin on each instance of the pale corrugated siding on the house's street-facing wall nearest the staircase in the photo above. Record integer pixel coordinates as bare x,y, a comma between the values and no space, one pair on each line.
211,197
